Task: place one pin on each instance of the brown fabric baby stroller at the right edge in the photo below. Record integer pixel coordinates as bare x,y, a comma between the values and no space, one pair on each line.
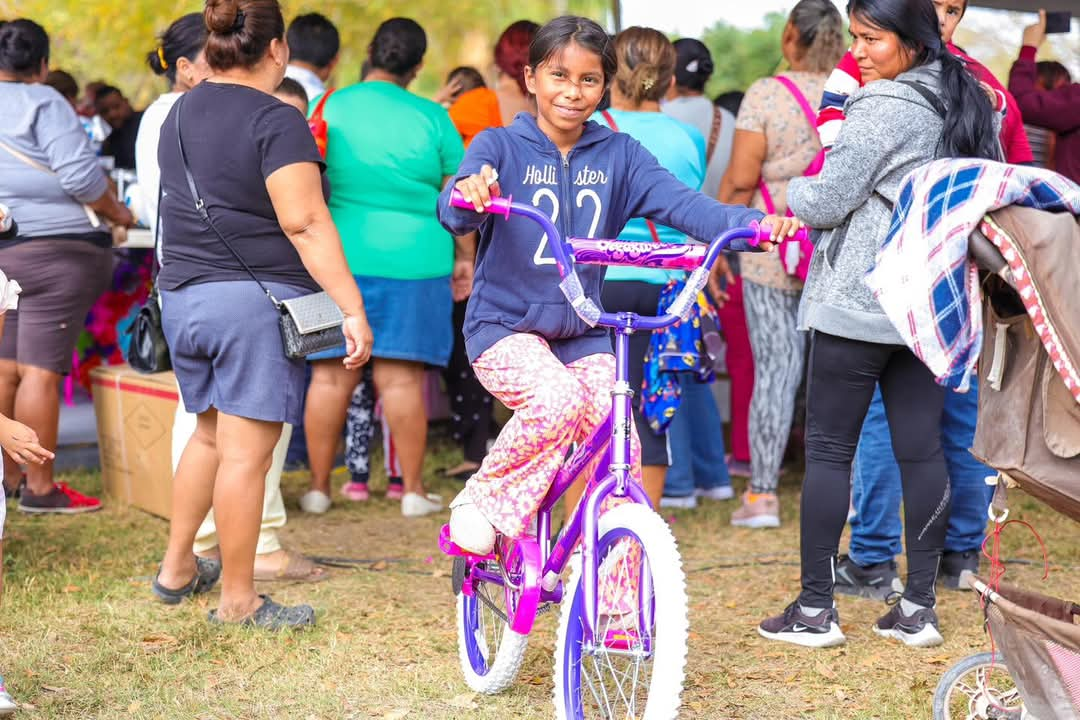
1030,431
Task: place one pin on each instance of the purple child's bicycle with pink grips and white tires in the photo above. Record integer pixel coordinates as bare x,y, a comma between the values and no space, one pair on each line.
614,665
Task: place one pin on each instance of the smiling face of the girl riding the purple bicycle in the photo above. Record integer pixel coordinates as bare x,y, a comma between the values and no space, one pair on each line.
569,88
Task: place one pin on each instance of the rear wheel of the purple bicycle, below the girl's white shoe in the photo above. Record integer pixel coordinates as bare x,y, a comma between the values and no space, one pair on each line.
490,651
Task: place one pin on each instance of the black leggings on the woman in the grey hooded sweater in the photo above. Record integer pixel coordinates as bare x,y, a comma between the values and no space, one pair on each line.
842,376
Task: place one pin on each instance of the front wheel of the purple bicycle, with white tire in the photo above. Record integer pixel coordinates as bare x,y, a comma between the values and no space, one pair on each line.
637,665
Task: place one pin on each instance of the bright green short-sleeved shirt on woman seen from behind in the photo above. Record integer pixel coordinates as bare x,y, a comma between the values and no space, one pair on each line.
388,152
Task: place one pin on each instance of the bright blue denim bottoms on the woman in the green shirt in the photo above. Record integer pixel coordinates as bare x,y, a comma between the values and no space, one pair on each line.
412,320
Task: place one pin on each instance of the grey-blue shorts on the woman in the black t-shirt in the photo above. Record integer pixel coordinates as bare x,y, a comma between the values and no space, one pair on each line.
225,342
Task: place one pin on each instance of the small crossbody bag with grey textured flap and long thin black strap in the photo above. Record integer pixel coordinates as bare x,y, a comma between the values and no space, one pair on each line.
310,323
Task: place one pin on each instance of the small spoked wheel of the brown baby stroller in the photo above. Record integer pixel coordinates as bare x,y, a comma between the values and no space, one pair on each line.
978,688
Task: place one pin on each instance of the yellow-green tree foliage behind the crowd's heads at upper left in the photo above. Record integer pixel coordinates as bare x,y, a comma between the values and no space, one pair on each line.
110,40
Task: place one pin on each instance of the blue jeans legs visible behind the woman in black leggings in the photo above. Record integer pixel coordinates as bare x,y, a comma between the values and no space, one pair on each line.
876,528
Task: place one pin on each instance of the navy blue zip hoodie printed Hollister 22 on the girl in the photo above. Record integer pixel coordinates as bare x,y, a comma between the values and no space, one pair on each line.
604,182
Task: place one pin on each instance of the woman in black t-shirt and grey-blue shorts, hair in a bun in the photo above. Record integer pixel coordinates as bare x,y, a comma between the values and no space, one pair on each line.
256,168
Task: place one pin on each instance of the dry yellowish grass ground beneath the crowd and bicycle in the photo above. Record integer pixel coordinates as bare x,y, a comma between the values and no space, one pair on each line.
80,636
